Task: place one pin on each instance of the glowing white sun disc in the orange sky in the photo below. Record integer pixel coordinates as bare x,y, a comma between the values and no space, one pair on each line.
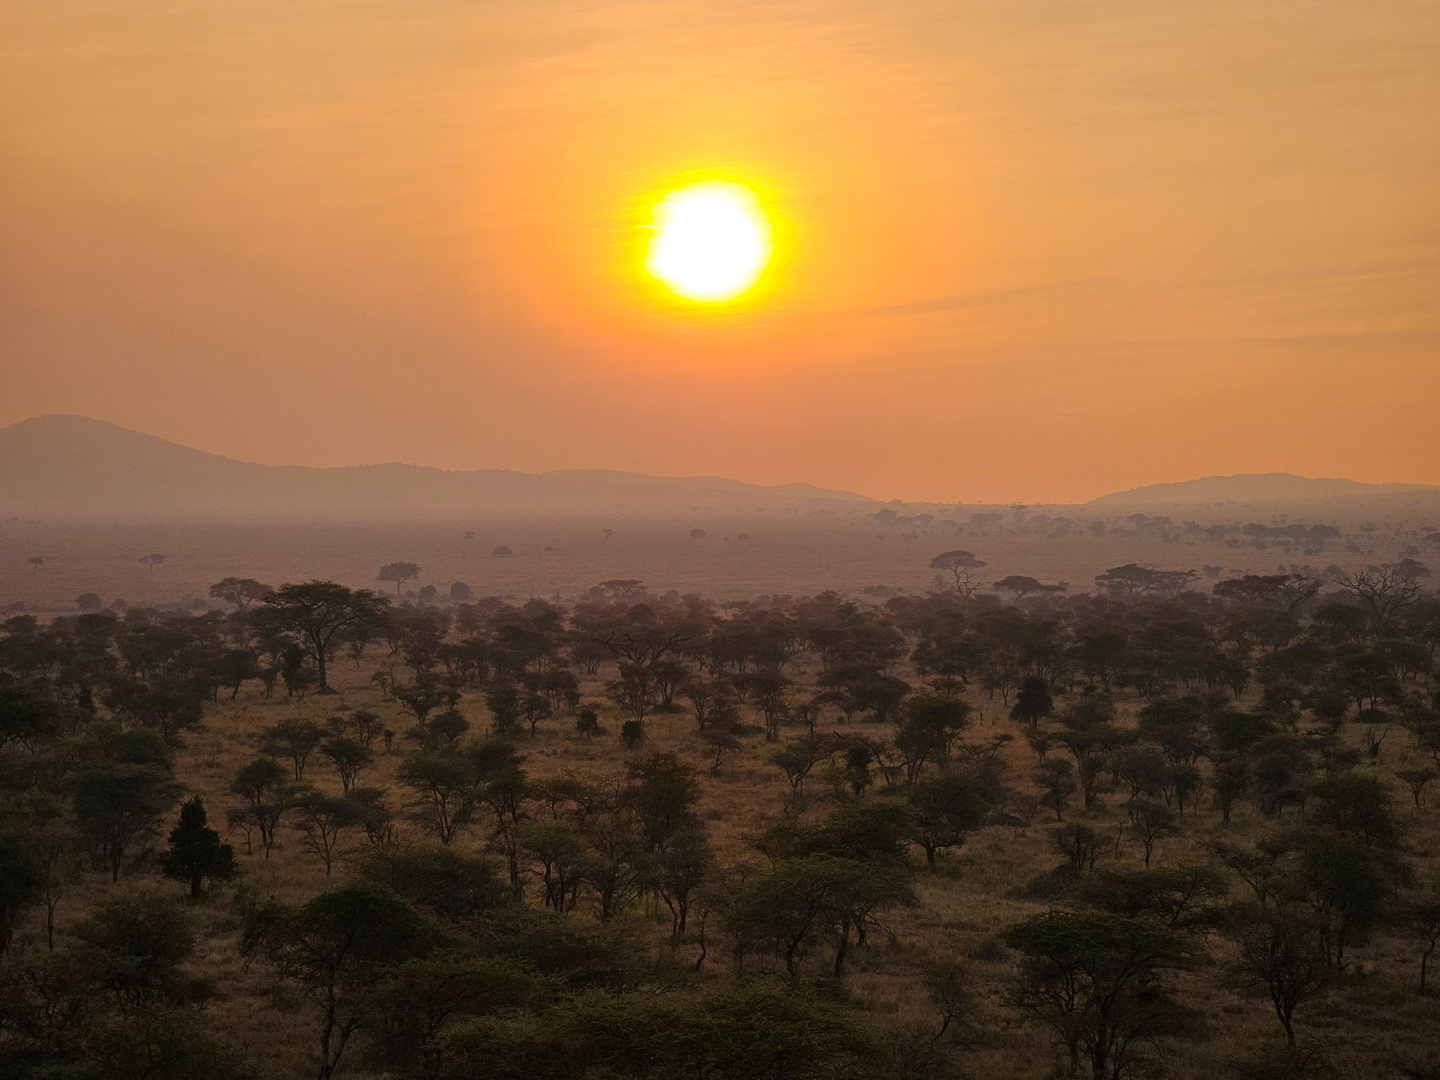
711,243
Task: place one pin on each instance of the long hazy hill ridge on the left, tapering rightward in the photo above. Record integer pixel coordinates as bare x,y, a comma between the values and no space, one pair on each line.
77,467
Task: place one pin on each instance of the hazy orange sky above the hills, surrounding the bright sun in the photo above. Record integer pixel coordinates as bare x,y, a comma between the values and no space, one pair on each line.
1032,250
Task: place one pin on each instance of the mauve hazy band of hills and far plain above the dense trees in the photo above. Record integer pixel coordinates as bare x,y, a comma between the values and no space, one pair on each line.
84,508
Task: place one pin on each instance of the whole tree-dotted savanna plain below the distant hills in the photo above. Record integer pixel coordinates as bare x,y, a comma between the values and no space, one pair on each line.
908,793
